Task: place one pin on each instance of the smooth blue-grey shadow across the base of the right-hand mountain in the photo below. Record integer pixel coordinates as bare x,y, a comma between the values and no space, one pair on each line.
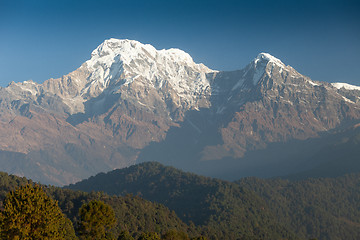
331,154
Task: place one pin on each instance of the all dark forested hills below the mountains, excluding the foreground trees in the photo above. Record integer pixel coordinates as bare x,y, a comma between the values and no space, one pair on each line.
251,208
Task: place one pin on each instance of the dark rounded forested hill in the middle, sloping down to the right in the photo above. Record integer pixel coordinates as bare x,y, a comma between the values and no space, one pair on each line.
230,211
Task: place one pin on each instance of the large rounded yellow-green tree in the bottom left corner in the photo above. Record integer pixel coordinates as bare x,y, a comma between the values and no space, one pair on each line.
30,214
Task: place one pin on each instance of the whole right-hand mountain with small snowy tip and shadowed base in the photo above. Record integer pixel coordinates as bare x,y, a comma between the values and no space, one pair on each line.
265,120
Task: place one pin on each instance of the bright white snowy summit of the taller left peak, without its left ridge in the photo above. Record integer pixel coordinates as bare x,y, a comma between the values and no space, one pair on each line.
117,62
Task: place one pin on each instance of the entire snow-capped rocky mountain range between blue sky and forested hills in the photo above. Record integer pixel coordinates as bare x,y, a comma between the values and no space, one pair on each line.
131,103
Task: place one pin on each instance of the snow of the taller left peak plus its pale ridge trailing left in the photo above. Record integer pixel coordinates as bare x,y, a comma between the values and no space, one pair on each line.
122,65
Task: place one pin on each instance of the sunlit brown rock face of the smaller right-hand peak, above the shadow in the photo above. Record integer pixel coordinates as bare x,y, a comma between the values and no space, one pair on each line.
272,102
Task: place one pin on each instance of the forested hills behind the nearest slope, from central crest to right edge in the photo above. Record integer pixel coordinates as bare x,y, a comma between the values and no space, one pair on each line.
268,209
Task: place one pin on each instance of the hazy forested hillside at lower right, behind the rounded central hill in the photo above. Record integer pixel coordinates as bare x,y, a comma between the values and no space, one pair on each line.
325,208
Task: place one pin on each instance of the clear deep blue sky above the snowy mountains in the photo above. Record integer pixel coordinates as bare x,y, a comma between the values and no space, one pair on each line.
40,39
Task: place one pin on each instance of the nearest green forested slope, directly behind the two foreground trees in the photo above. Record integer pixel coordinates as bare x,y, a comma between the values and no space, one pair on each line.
133,214
